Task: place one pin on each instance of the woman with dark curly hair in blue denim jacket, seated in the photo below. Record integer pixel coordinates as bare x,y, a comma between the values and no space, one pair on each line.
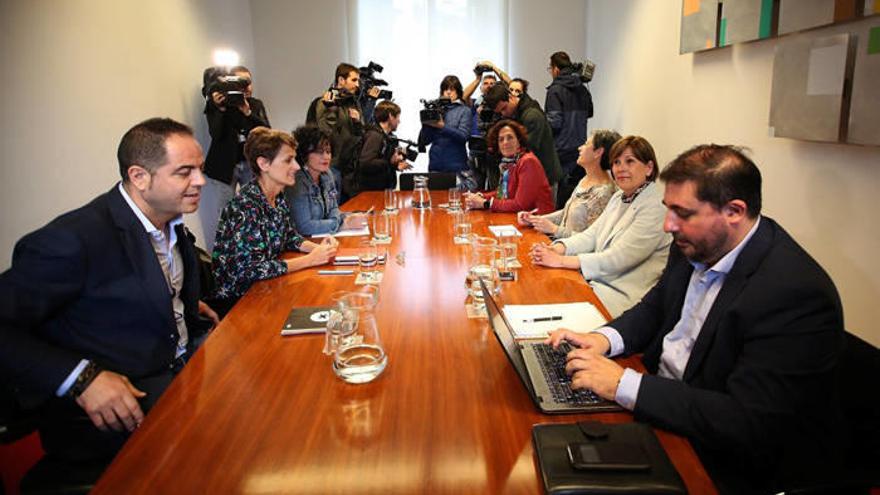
314,201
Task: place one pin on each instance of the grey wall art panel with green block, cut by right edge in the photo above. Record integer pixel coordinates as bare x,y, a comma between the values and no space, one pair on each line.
864,115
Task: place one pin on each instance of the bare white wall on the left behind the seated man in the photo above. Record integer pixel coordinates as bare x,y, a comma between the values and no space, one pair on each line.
78,74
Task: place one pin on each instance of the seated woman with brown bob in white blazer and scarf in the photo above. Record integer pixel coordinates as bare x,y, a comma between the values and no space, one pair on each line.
622,254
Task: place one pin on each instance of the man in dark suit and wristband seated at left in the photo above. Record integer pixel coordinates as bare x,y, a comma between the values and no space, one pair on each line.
100,308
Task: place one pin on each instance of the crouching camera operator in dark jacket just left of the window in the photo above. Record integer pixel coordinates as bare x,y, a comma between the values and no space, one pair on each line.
380,157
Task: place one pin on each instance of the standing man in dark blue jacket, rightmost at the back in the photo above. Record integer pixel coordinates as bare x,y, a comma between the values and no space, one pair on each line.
568,106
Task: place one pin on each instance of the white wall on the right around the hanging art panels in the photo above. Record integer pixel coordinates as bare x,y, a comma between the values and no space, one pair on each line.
823,194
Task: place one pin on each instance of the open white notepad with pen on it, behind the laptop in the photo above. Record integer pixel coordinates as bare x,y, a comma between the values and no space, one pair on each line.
536,321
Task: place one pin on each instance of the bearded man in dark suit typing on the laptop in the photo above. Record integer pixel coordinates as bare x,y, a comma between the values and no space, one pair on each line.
740,336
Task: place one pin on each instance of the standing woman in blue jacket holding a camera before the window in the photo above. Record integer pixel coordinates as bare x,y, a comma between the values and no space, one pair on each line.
448,135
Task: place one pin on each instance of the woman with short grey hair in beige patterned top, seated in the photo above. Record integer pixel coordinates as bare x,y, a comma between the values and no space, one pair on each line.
590,195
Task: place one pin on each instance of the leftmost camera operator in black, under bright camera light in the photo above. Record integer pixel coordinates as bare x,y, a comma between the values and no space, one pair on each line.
232,112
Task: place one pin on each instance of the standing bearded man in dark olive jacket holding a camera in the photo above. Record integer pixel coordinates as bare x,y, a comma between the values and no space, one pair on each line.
339,114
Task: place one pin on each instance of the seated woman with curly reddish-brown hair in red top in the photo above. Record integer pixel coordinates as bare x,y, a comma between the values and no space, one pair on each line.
523,183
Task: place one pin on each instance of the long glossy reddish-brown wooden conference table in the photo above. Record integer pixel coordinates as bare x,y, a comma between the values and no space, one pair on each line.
254,412
